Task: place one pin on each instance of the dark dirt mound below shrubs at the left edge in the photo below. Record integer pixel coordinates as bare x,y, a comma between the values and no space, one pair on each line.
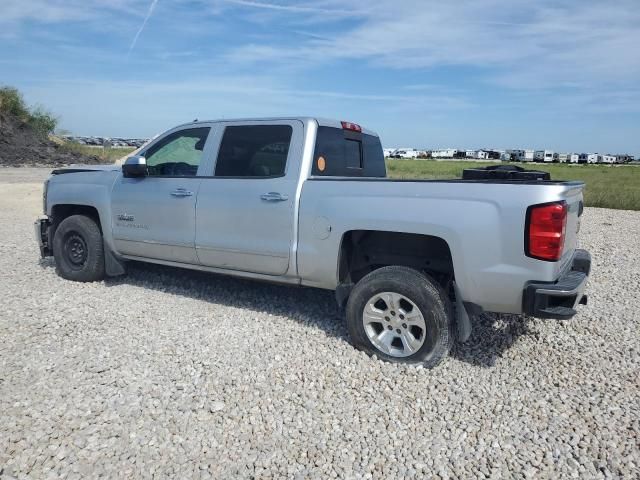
22,145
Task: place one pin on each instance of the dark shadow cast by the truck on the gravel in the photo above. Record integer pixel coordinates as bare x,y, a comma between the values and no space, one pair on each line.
492,335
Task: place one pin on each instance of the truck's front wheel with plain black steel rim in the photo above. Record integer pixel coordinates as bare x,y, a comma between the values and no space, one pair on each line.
78,249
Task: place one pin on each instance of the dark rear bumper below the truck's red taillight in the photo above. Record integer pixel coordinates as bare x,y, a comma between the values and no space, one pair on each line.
559,299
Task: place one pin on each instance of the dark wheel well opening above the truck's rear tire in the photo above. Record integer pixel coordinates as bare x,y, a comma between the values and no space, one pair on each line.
363,251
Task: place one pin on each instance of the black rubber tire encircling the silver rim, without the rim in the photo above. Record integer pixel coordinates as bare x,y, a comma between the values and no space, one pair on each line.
425,293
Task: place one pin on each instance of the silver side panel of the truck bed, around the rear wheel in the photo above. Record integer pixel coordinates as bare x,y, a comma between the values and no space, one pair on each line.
482,221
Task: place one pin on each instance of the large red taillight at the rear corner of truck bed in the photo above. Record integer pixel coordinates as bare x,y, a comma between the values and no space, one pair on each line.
546,229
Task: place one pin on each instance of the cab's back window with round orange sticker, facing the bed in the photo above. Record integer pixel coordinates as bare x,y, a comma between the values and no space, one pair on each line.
345,153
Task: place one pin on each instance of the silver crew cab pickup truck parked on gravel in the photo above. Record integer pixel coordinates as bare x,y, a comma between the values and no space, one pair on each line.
305,201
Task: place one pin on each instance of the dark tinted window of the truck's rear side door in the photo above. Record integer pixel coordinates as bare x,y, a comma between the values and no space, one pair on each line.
254,151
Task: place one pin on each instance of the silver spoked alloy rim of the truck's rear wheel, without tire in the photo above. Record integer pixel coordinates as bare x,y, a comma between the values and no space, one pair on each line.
394,324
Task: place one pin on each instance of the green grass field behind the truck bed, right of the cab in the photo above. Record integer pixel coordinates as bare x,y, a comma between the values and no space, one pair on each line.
607,186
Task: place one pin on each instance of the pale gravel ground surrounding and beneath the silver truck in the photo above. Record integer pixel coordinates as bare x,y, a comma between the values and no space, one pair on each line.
171,373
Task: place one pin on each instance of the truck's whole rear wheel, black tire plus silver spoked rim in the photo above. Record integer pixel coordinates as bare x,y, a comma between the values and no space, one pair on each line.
401,315
